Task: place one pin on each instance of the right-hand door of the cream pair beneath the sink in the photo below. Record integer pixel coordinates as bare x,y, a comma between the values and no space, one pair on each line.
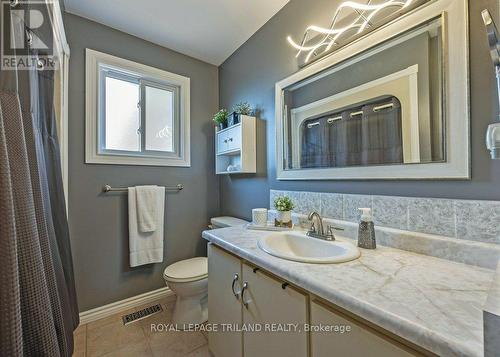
271,307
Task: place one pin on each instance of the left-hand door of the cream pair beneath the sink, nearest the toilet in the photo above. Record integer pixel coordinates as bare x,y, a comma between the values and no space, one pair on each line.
223,306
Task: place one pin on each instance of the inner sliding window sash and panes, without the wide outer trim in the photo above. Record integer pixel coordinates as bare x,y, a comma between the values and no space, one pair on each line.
136,115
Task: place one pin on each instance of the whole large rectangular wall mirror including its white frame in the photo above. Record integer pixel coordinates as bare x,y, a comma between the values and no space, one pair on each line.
384,107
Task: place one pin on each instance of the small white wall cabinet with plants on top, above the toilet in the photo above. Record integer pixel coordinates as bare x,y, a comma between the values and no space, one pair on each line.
235,147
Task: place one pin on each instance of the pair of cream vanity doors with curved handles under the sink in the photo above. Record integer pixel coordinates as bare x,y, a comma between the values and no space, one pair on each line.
258,301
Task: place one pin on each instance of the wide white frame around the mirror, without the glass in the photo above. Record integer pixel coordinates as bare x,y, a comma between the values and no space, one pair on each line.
456,104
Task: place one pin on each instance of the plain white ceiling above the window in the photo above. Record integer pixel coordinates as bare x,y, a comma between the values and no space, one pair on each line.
210,30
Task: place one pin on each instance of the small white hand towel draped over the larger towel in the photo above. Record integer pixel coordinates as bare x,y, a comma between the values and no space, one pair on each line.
147,207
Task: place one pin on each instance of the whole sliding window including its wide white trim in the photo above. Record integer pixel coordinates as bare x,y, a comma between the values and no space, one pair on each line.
136,115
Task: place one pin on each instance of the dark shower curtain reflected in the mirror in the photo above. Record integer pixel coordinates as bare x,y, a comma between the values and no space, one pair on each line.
369,137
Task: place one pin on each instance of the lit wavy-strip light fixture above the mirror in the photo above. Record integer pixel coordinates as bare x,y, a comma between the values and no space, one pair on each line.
328,37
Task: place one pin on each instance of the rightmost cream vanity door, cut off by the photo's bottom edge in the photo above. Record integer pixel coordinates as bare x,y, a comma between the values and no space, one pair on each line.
360,341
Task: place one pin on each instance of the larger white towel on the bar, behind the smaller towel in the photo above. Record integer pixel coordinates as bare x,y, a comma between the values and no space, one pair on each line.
145,247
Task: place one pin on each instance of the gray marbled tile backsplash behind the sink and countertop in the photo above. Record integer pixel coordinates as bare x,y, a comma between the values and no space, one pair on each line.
462,219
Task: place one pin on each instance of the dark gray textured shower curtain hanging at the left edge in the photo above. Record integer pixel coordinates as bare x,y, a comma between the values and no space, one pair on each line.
37,300
